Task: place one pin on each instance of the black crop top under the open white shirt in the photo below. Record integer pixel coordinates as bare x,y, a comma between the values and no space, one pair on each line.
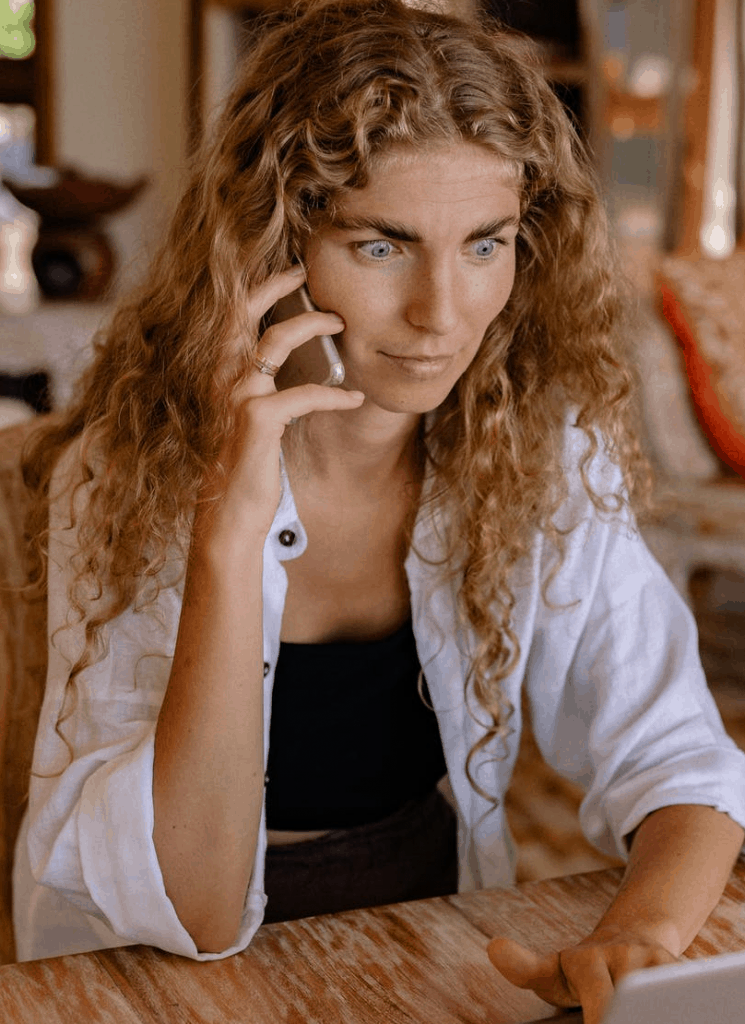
350,740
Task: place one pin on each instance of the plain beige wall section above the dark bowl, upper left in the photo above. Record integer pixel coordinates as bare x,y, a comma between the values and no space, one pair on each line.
120,81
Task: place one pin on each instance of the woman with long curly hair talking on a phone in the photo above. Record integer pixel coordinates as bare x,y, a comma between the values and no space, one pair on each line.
243,579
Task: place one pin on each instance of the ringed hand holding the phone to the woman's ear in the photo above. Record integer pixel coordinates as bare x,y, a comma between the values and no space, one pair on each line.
251,456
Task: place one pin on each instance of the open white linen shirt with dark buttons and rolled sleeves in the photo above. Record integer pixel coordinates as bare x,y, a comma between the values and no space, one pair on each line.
610,667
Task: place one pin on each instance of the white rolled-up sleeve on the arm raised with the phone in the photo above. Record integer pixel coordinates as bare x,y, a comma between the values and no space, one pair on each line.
90,843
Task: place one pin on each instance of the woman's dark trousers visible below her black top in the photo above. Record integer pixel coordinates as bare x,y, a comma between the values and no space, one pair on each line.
413,855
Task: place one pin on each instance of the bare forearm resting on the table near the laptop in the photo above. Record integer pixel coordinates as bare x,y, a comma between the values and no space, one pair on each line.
680,863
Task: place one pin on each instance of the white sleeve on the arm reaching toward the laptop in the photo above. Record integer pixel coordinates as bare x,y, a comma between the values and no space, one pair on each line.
620,699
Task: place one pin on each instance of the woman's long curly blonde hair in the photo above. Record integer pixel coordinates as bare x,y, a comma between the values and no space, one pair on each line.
328,88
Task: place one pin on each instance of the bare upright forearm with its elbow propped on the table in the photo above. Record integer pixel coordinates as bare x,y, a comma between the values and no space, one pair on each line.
209,765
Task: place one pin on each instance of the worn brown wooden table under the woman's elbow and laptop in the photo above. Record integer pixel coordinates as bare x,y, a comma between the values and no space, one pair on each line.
420,963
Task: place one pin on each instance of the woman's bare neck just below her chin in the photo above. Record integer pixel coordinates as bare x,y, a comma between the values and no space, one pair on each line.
367,447
